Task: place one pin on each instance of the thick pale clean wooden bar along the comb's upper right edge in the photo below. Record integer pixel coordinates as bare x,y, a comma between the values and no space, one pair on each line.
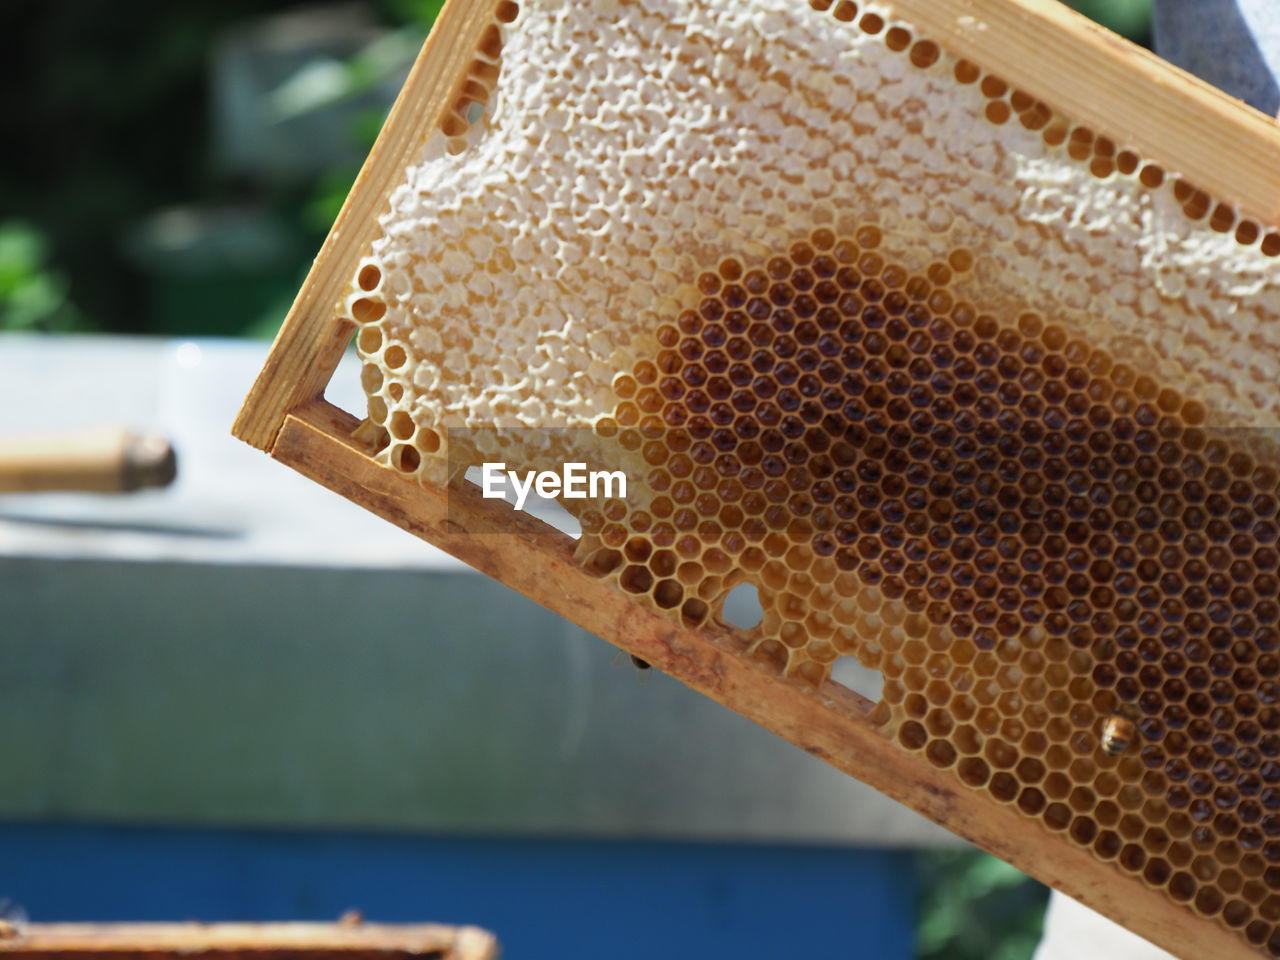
1095,77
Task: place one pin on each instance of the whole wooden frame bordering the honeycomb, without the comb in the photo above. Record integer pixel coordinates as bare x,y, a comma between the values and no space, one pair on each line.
1077,68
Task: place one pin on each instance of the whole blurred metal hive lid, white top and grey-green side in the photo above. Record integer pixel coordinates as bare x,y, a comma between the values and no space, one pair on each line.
248,648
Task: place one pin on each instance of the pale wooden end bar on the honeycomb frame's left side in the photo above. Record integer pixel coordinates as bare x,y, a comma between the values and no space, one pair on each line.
312,342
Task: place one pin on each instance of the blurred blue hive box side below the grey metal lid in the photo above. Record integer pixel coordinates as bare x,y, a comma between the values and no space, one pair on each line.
543,898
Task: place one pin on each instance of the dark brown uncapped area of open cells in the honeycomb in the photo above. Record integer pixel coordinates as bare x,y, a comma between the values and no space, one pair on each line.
1071,586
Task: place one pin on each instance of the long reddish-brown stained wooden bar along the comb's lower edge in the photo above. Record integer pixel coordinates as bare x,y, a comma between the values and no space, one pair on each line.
537,560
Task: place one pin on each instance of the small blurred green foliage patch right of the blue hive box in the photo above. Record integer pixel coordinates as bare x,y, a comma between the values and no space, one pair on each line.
975,907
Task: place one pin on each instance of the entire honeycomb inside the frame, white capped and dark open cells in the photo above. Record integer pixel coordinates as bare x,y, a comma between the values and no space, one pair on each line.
966,391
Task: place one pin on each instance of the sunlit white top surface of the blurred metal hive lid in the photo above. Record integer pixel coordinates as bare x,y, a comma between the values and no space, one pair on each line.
230,505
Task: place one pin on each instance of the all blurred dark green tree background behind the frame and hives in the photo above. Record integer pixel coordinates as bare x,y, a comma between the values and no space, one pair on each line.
127,205
